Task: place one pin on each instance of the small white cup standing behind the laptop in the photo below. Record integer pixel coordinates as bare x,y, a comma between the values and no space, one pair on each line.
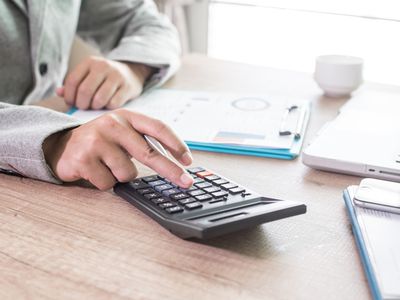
338,75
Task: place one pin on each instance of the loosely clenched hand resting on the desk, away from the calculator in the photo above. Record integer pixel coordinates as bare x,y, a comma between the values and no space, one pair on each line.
98,83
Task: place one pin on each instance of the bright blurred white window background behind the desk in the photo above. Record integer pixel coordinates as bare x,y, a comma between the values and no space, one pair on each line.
289,34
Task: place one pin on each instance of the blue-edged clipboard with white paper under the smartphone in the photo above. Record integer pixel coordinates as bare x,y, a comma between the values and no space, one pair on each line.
381,275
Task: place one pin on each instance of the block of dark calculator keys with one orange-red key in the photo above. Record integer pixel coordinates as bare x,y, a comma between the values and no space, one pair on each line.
208,188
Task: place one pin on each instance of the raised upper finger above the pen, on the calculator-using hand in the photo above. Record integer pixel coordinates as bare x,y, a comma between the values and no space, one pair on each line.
162,132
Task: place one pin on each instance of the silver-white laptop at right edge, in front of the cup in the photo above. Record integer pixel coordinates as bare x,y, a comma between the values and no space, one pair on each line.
363,140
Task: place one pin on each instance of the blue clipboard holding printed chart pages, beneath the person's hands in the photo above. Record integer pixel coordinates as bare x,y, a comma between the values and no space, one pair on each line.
243,124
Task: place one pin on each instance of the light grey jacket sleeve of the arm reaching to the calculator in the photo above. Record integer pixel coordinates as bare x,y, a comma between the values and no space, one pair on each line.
23,130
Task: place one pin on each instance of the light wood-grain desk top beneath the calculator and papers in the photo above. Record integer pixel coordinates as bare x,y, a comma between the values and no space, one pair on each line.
69,242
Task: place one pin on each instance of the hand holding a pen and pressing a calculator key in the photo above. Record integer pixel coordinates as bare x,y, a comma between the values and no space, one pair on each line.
100,151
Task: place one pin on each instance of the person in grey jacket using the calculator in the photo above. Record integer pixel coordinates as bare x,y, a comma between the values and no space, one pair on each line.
141,50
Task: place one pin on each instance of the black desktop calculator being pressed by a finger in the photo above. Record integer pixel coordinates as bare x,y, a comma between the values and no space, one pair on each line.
213,206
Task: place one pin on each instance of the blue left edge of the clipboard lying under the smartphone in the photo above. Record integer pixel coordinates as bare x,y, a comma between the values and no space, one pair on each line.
348,195
